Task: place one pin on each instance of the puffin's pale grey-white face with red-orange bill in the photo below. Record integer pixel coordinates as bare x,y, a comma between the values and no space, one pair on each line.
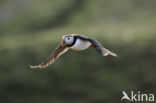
67,40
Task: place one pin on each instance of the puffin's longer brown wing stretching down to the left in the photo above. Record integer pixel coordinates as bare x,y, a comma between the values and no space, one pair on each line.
52,58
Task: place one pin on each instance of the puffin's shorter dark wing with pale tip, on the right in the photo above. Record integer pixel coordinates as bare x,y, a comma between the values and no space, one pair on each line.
103,51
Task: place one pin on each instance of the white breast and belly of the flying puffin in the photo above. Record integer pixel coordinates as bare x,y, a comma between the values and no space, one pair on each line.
80,45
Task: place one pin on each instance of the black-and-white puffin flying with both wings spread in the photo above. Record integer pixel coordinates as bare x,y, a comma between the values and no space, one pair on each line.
74,42
